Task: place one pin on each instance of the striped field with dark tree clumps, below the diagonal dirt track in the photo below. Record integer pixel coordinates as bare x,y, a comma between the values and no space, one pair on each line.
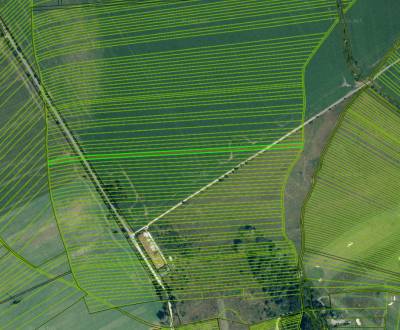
225,243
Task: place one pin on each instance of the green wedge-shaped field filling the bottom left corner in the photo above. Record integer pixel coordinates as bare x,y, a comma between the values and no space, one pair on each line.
30,297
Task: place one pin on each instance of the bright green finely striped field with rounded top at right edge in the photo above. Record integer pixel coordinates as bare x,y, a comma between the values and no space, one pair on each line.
353,209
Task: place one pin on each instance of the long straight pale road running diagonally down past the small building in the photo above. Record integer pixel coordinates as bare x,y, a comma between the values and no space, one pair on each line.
74,144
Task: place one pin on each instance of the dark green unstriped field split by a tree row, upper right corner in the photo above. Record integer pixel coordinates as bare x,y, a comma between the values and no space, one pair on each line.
372,30
